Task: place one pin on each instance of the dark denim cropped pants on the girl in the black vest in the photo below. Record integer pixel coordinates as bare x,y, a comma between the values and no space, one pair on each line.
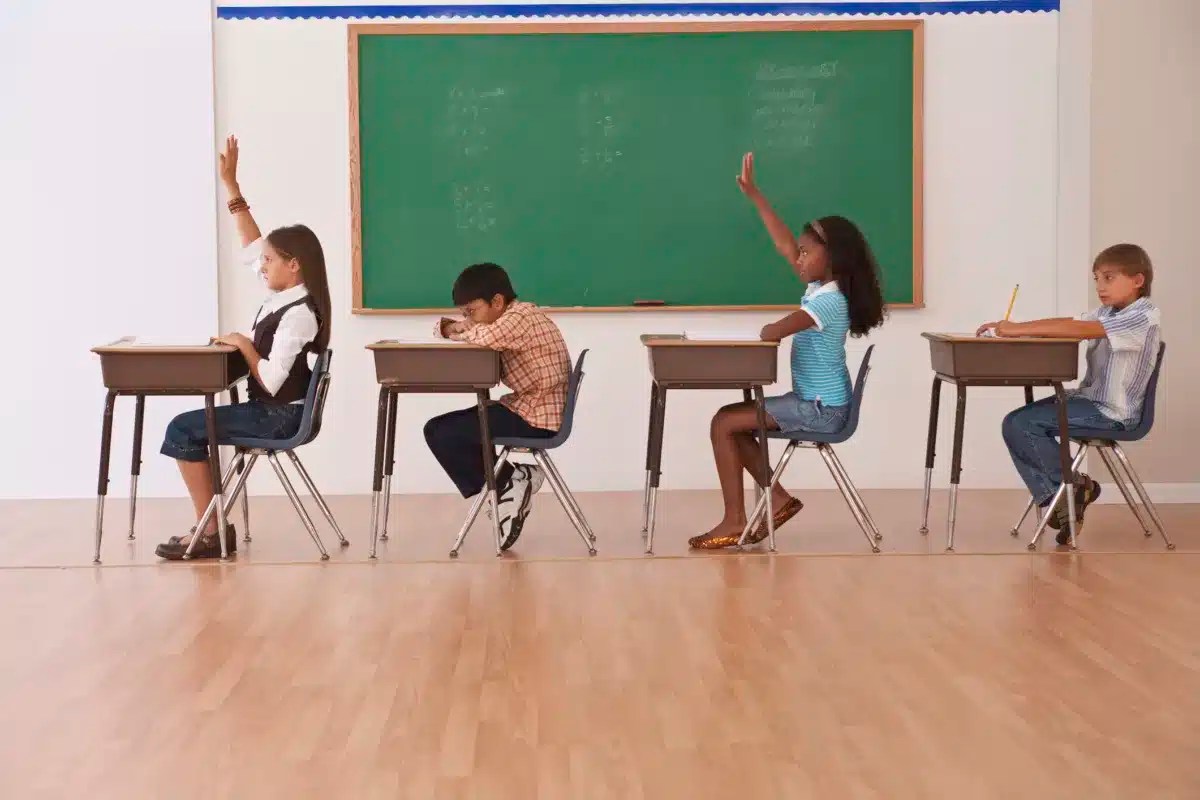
188,438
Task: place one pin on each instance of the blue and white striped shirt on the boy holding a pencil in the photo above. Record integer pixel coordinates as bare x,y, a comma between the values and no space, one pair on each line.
1119,366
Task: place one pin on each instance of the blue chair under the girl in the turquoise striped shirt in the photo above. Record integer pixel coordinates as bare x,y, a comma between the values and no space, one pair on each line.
824,444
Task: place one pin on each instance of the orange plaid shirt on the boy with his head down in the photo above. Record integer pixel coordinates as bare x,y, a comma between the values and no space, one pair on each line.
535,362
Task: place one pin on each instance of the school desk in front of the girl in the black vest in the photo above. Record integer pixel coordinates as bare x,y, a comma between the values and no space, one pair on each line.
160,371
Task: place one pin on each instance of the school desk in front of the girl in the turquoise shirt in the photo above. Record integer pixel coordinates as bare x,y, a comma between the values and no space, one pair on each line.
679,363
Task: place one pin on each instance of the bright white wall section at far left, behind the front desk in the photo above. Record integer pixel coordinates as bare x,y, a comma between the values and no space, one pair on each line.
107,220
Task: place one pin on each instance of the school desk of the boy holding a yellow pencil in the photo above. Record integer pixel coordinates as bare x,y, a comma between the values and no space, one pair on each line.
968,362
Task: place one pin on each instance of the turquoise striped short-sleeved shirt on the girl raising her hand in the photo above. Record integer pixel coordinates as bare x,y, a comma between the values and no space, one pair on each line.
819,354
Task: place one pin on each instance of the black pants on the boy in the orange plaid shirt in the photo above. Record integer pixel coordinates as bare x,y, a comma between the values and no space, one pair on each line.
457,442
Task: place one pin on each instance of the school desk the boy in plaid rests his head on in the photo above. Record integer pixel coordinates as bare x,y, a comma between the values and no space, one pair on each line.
429,369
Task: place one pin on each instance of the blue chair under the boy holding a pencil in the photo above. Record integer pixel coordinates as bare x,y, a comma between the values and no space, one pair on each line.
1108,446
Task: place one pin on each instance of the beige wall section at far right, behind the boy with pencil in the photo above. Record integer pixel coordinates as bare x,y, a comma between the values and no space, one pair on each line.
1145,167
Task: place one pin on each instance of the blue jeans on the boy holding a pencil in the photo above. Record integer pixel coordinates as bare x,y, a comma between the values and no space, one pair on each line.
1031,435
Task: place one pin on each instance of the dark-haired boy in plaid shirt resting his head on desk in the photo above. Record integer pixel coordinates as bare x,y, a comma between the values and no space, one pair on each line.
535,364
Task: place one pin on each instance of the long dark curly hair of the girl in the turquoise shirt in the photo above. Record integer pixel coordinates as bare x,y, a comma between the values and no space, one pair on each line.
853,266
